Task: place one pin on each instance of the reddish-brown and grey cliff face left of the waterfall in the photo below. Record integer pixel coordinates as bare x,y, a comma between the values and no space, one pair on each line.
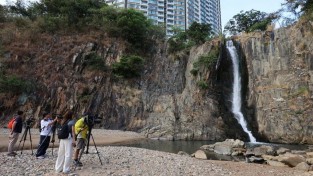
165,102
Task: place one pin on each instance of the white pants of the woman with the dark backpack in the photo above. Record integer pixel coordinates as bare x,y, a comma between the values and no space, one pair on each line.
65,153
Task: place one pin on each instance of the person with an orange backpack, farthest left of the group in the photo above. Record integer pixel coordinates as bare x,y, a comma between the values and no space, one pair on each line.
14,133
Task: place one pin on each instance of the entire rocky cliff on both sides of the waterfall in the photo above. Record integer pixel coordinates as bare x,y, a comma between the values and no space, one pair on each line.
166,101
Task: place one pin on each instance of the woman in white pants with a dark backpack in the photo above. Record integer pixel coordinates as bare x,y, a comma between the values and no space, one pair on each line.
66,145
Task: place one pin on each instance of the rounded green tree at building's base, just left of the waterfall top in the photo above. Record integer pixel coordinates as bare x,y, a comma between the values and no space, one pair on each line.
198,33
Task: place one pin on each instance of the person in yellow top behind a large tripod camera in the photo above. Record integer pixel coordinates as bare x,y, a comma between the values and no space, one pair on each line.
81,130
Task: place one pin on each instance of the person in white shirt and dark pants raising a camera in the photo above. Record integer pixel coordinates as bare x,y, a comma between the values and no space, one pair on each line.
45,135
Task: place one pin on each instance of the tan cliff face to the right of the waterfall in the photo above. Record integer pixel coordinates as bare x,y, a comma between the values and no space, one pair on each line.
279,87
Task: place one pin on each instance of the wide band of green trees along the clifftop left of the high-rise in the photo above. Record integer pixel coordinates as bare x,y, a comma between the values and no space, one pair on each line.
68,15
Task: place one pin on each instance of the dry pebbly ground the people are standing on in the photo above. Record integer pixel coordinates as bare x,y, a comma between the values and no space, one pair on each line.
127,161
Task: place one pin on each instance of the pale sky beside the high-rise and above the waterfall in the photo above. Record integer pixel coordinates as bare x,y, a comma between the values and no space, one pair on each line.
229,8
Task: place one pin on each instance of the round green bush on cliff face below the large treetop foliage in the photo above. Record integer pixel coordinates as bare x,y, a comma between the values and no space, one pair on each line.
128,67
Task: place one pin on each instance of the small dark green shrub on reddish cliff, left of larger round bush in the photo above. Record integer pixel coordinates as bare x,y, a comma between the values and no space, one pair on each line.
95,62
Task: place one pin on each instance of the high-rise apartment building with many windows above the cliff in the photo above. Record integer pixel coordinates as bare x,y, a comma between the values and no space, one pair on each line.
176,13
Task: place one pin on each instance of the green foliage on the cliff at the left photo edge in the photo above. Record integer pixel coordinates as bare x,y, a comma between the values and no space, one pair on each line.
15,85
